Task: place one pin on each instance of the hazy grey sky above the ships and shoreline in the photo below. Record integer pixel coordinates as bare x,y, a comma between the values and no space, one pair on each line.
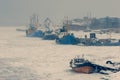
17,12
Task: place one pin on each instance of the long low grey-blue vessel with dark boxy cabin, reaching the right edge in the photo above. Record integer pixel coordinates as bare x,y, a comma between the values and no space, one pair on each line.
94,41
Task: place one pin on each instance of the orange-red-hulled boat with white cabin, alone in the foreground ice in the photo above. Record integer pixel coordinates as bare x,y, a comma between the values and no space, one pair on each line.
81,65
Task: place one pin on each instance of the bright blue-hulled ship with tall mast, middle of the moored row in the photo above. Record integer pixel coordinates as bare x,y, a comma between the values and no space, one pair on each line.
67,37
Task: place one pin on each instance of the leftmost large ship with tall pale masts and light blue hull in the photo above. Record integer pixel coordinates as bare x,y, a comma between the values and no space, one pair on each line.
33,30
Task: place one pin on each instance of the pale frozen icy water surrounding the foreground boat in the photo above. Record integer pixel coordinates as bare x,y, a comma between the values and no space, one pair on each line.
23,58
